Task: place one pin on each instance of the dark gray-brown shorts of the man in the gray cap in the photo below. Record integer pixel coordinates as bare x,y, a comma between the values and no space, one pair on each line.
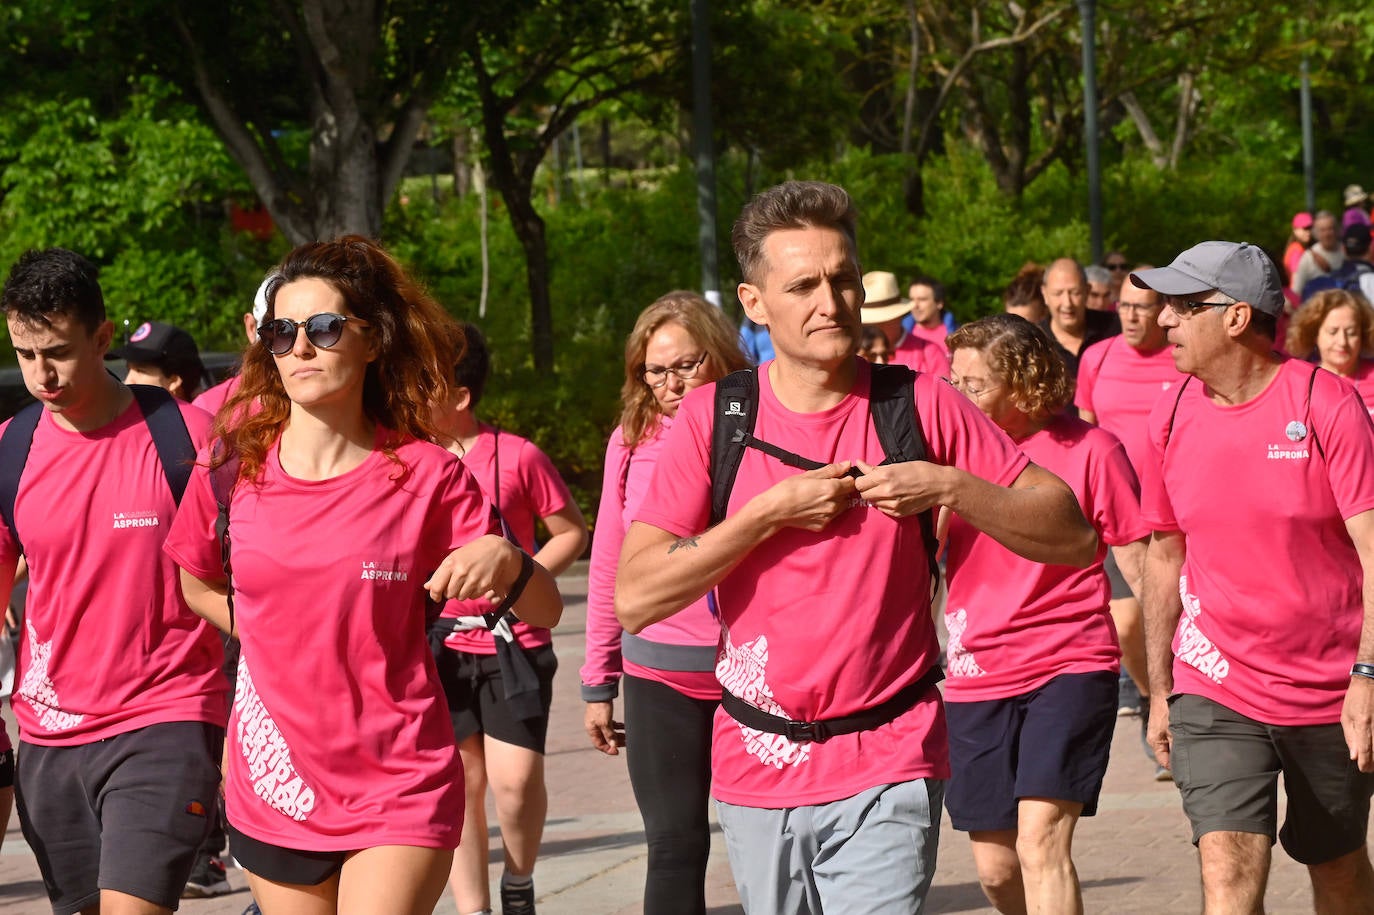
1228,769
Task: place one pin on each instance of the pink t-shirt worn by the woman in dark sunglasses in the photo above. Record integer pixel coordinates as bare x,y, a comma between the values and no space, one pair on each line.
341,736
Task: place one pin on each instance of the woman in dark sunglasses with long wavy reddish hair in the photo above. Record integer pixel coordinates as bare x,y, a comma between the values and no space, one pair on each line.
348,527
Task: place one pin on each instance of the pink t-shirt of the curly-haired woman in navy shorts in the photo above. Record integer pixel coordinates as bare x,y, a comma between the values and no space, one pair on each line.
1017,624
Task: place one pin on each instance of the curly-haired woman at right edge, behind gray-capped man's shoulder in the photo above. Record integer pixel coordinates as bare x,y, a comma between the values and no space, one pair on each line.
1338,328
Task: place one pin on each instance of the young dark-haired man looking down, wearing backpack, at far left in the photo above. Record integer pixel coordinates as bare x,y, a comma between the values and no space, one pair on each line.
122,705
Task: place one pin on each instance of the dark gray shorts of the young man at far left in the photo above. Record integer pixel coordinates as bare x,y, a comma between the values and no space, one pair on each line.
126,814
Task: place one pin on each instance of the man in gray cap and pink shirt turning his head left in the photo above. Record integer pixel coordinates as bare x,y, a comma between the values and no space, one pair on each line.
1259,597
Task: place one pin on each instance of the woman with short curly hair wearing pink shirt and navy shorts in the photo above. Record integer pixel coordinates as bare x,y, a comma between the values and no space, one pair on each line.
1033,656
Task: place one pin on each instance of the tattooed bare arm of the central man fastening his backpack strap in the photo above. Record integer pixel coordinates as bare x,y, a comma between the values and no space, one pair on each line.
662,574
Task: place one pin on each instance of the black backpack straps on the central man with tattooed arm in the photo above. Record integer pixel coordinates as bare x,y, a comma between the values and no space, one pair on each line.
891,403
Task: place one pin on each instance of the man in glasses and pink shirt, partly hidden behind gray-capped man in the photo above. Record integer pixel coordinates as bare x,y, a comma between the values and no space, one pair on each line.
1119,383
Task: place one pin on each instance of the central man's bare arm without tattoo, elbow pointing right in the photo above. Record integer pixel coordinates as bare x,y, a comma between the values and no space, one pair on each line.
1037,517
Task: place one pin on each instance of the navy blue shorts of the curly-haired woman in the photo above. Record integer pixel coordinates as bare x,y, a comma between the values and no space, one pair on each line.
1052,743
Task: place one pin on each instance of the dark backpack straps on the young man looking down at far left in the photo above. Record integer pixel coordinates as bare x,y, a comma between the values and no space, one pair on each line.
177,451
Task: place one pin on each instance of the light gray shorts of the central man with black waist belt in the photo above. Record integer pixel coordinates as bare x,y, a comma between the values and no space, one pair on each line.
873,854
